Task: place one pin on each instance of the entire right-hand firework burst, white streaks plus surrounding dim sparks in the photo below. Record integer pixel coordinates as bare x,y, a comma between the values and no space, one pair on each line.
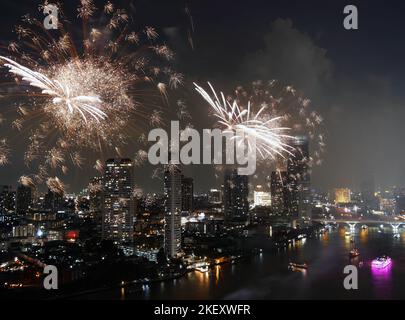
268,110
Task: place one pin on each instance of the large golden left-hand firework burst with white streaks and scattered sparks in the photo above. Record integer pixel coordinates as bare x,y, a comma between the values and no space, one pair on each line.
88,92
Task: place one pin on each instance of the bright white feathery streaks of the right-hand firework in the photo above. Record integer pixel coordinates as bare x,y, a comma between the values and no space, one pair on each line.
261,133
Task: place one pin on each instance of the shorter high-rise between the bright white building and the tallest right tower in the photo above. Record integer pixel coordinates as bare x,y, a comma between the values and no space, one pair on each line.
279,191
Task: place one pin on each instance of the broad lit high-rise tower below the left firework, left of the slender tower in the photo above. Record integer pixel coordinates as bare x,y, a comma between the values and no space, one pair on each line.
118,203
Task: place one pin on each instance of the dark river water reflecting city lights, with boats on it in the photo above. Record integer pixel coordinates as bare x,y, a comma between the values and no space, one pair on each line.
265,275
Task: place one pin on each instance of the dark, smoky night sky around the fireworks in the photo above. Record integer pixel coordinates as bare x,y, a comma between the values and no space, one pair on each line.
354,78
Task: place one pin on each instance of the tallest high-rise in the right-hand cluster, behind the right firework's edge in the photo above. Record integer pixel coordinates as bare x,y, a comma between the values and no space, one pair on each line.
298,175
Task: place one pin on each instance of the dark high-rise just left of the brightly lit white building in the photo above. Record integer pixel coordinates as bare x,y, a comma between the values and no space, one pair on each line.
236,192
